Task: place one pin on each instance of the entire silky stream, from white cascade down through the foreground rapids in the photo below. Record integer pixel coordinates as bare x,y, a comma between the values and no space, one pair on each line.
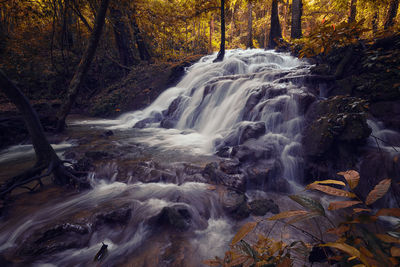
235,124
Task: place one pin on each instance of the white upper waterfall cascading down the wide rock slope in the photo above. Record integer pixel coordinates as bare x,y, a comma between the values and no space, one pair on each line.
220,105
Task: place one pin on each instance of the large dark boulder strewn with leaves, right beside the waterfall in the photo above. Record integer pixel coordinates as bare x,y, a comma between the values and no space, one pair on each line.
336,129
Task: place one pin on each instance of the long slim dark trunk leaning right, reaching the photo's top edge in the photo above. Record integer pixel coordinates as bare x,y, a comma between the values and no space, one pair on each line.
83,66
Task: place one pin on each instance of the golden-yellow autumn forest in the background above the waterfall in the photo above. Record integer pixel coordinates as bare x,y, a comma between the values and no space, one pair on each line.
41,41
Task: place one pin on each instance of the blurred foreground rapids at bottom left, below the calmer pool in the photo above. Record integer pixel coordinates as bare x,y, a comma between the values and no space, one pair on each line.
76,214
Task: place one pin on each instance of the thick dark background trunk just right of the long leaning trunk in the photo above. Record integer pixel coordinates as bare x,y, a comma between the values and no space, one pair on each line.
122,37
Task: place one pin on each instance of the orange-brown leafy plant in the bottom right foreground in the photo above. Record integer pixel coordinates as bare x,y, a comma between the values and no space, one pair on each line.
360,240
